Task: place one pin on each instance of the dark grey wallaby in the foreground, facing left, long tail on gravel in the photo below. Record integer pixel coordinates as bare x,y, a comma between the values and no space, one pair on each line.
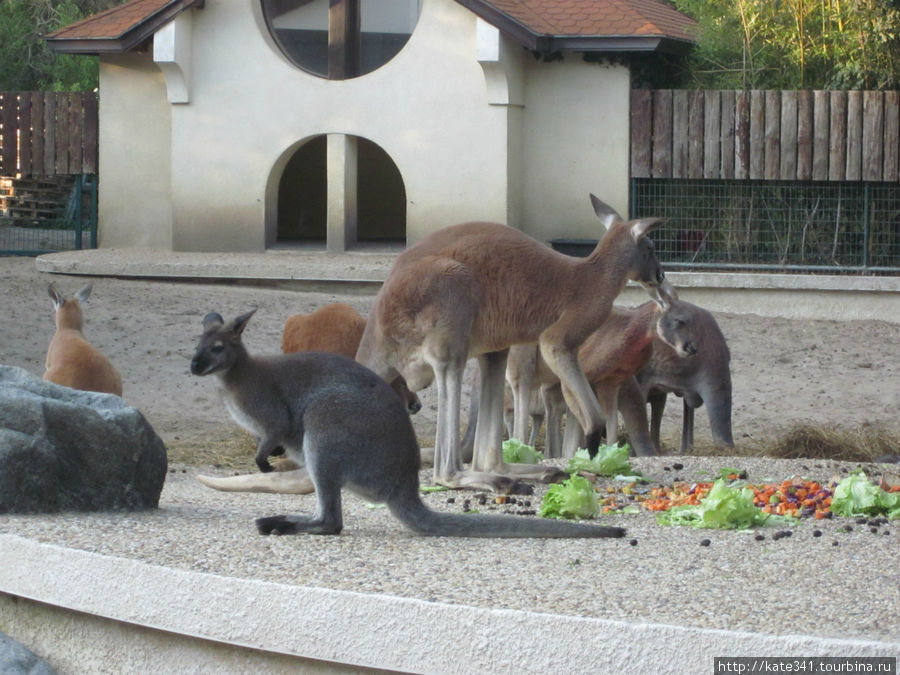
349,428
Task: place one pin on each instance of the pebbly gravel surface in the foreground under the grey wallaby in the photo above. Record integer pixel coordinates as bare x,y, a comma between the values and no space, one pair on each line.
836,584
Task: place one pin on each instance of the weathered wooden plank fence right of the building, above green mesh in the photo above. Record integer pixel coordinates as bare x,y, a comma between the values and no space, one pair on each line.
766,135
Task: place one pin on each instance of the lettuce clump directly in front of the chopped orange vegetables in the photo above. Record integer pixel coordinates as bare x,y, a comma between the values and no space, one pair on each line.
723,507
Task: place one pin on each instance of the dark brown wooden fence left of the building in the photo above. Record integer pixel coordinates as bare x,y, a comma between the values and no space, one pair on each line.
48,133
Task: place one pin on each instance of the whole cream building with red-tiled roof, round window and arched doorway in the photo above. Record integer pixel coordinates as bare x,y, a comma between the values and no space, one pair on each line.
242,125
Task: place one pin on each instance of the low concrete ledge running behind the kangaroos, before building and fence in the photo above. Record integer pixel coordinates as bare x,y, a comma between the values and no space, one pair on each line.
791,296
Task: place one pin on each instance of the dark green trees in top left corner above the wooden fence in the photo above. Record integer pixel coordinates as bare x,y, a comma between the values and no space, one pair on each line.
26,63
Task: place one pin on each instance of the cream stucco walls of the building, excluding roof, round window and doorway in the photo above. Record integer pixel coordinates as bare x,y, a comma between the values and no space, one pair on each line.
208,168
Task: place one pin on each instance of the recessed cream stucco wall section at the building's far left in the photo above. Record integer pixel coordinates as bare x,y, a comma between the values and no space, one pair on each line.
134,201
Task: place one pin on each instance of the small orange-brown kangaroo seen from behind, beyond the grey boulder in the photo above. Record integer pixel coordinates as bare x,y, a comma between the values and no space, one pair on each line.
72,361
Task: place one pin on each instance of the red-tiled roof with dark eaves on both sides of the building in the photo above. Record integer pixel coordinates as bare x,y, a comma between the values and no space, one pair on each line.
543,25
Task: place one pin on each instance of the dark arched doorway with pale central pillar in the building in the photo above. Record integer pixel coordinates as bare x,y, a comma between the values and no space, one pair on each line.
342,192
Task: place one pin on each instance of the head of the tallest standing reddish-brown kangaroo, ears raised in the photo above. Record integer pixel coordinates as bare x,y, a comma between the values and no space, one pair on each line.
633,248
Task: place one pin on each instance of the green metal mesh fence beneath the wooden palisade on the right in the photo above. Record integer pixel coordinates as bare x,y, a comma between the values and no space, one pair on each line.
790,226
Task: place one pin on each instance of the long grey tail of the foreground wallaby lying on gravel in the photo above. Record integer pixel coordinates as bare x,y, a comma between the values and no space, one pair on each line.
422,520
